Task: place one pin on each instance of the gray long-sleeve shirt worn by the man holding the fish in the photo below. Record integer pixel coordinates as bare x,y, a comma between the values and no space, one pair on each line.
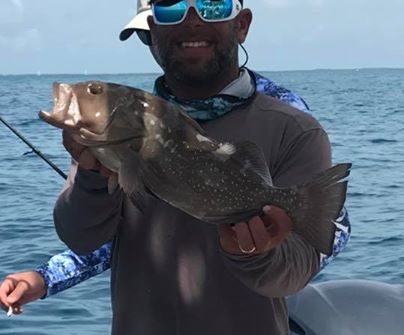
169,274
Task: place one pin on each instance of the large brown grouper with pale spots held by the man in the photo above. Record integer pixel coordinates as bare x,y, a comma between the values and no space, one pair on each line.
155,147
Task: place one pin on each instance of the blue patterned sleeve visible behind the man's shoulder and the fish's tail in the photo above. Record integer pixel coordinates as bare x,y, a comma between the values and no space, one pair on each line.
343,231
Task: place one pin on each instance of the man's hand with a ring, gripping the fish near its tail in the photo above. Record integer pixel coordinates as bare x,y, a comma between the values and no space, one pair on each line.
258,235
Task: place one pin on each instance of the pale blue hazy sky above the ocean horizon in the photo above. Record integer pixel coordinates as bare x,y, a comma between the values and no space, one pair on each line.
79,36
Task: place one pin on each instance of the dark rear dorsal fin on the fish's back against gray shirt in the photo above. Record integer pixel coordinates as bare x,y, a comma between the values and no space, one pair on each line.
250,156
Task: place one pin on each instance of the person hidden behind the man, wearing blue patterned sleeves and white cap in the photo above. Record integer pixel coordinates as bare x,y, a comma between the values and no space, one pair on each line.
80,268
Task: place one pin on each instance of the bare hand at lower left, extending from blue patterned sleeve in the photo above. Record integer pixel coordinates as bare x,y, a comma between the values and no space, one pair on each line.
21,288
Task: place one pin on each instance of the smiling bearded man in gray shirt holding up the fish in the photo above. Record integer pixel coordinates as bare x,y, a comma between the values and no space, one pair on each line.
170,274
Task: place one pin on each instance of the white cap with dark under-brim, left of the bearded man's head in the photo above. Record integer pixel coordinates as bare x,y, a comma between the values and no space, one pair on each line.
139,23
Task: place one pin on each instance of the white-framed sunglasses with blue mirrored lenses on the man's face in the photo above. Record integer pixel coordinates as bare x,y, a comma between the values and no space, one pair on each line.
167,12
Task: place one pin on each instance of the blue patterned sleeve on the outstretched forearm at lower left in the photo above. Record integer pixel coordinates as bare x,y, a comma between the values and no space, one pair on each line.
68,269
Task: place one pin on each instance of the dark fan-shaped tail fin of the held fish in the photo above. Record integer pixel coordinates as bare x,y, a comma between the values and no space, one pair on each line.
318,204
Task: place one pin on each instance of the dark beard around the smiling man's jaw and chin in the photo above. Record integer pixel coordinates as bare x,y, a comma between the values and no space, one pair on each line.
197,72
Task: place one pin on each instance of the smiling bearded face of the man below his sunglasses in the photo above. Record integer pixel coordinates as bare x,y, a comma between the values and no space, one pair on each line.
196,52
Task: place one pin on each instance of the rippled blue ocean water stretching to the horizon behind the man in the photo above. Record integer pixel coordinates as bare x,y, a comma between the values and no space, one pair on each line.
362,110
